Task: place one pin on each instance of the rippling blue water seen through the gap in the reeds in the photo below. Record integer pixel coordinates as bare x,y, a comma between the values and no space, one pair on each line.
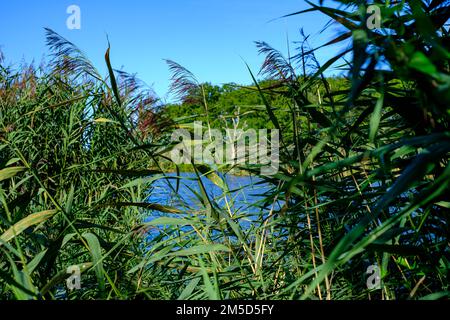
248,200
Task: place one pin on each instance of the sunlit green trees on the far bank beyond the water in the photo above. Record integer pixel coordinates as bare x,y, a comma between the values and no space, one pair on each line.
231,101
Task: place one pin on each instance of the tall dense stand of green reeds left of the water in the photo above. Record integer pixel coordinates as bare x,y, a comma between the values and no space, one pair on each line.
66,146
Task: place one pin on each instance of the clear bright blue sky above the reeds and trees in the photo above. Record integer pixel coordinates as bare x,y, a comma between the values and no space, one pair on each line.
209,37
